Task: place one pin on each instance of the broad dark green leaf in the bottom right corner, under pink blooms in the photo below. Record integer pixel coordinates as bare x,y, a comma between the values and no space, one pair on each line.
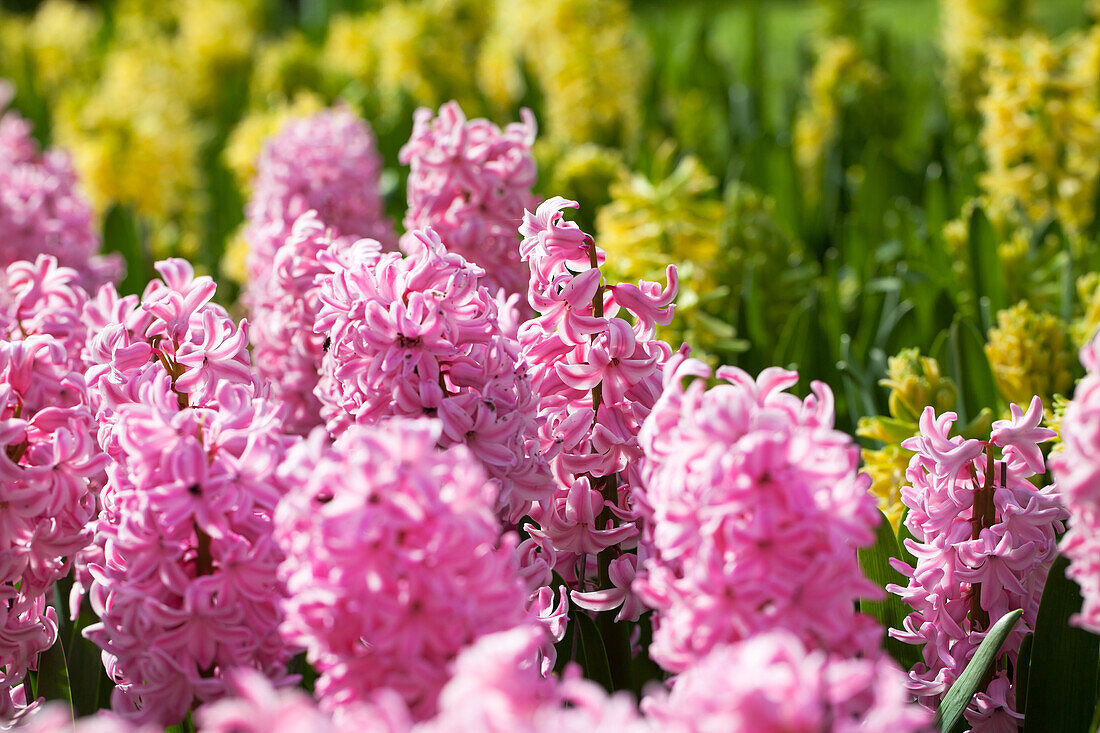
1063,672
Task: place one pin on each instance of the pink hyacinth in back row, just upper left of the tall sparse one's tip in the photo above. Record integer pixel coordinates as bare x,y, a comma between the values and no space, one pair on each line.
471,182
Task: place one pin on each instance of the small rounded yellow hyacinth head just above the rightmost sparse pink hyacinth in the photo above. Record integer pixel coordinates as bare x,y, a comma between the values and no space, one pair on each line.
1030,354
